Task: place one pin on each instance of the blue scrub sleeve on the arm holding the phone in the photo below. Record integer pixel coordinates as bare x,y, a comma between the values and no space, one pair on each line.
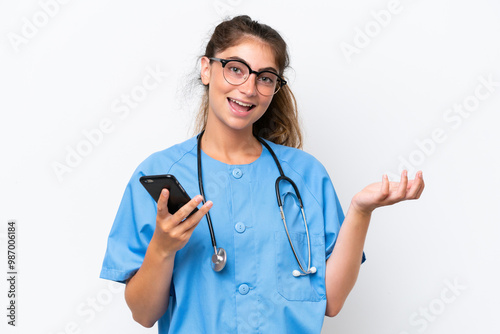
131,232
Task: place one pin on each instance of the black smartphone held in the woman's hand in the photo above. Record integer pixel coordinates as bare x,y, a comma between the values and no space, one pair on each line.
154,184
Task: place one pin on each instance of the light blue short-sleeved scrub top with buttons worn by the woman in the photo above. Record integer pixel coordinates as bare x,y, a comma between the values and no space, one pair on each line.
256,291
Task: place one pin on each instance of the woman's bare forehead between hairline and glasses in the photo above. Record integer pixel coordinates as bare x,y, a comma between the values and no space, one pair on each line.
254,52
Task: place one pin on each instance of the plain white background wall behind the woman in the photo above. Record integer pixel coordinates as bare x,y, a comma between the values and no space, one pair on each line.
362,116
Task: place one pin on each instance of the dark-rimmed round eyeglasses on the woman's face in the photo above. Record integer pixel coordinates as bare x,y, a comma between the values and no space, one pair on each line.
237,72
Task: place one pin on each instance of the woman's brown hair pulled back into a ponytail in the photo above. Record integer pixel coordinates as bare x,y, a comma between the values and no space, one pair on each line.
279,123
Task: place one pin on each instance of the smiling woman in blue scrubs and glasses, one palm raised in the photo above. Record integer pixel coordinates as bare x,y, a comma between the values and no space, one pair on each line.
166,265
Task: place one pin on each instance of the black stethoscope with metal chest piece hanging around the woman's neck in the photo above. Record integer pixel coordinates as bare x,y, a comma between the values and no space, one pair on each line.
219,257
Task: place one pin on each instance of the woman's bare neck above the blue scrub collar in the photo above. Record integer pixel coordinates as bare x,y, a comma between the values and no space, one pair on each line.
231,147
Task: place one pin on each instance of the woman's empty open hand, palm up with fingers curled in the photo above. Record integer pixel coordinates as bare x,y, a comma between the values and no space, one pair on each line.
387,193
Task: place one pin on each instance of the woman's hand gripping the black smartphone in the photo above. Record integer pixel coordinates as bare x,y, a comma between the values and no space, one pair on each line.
173,231
